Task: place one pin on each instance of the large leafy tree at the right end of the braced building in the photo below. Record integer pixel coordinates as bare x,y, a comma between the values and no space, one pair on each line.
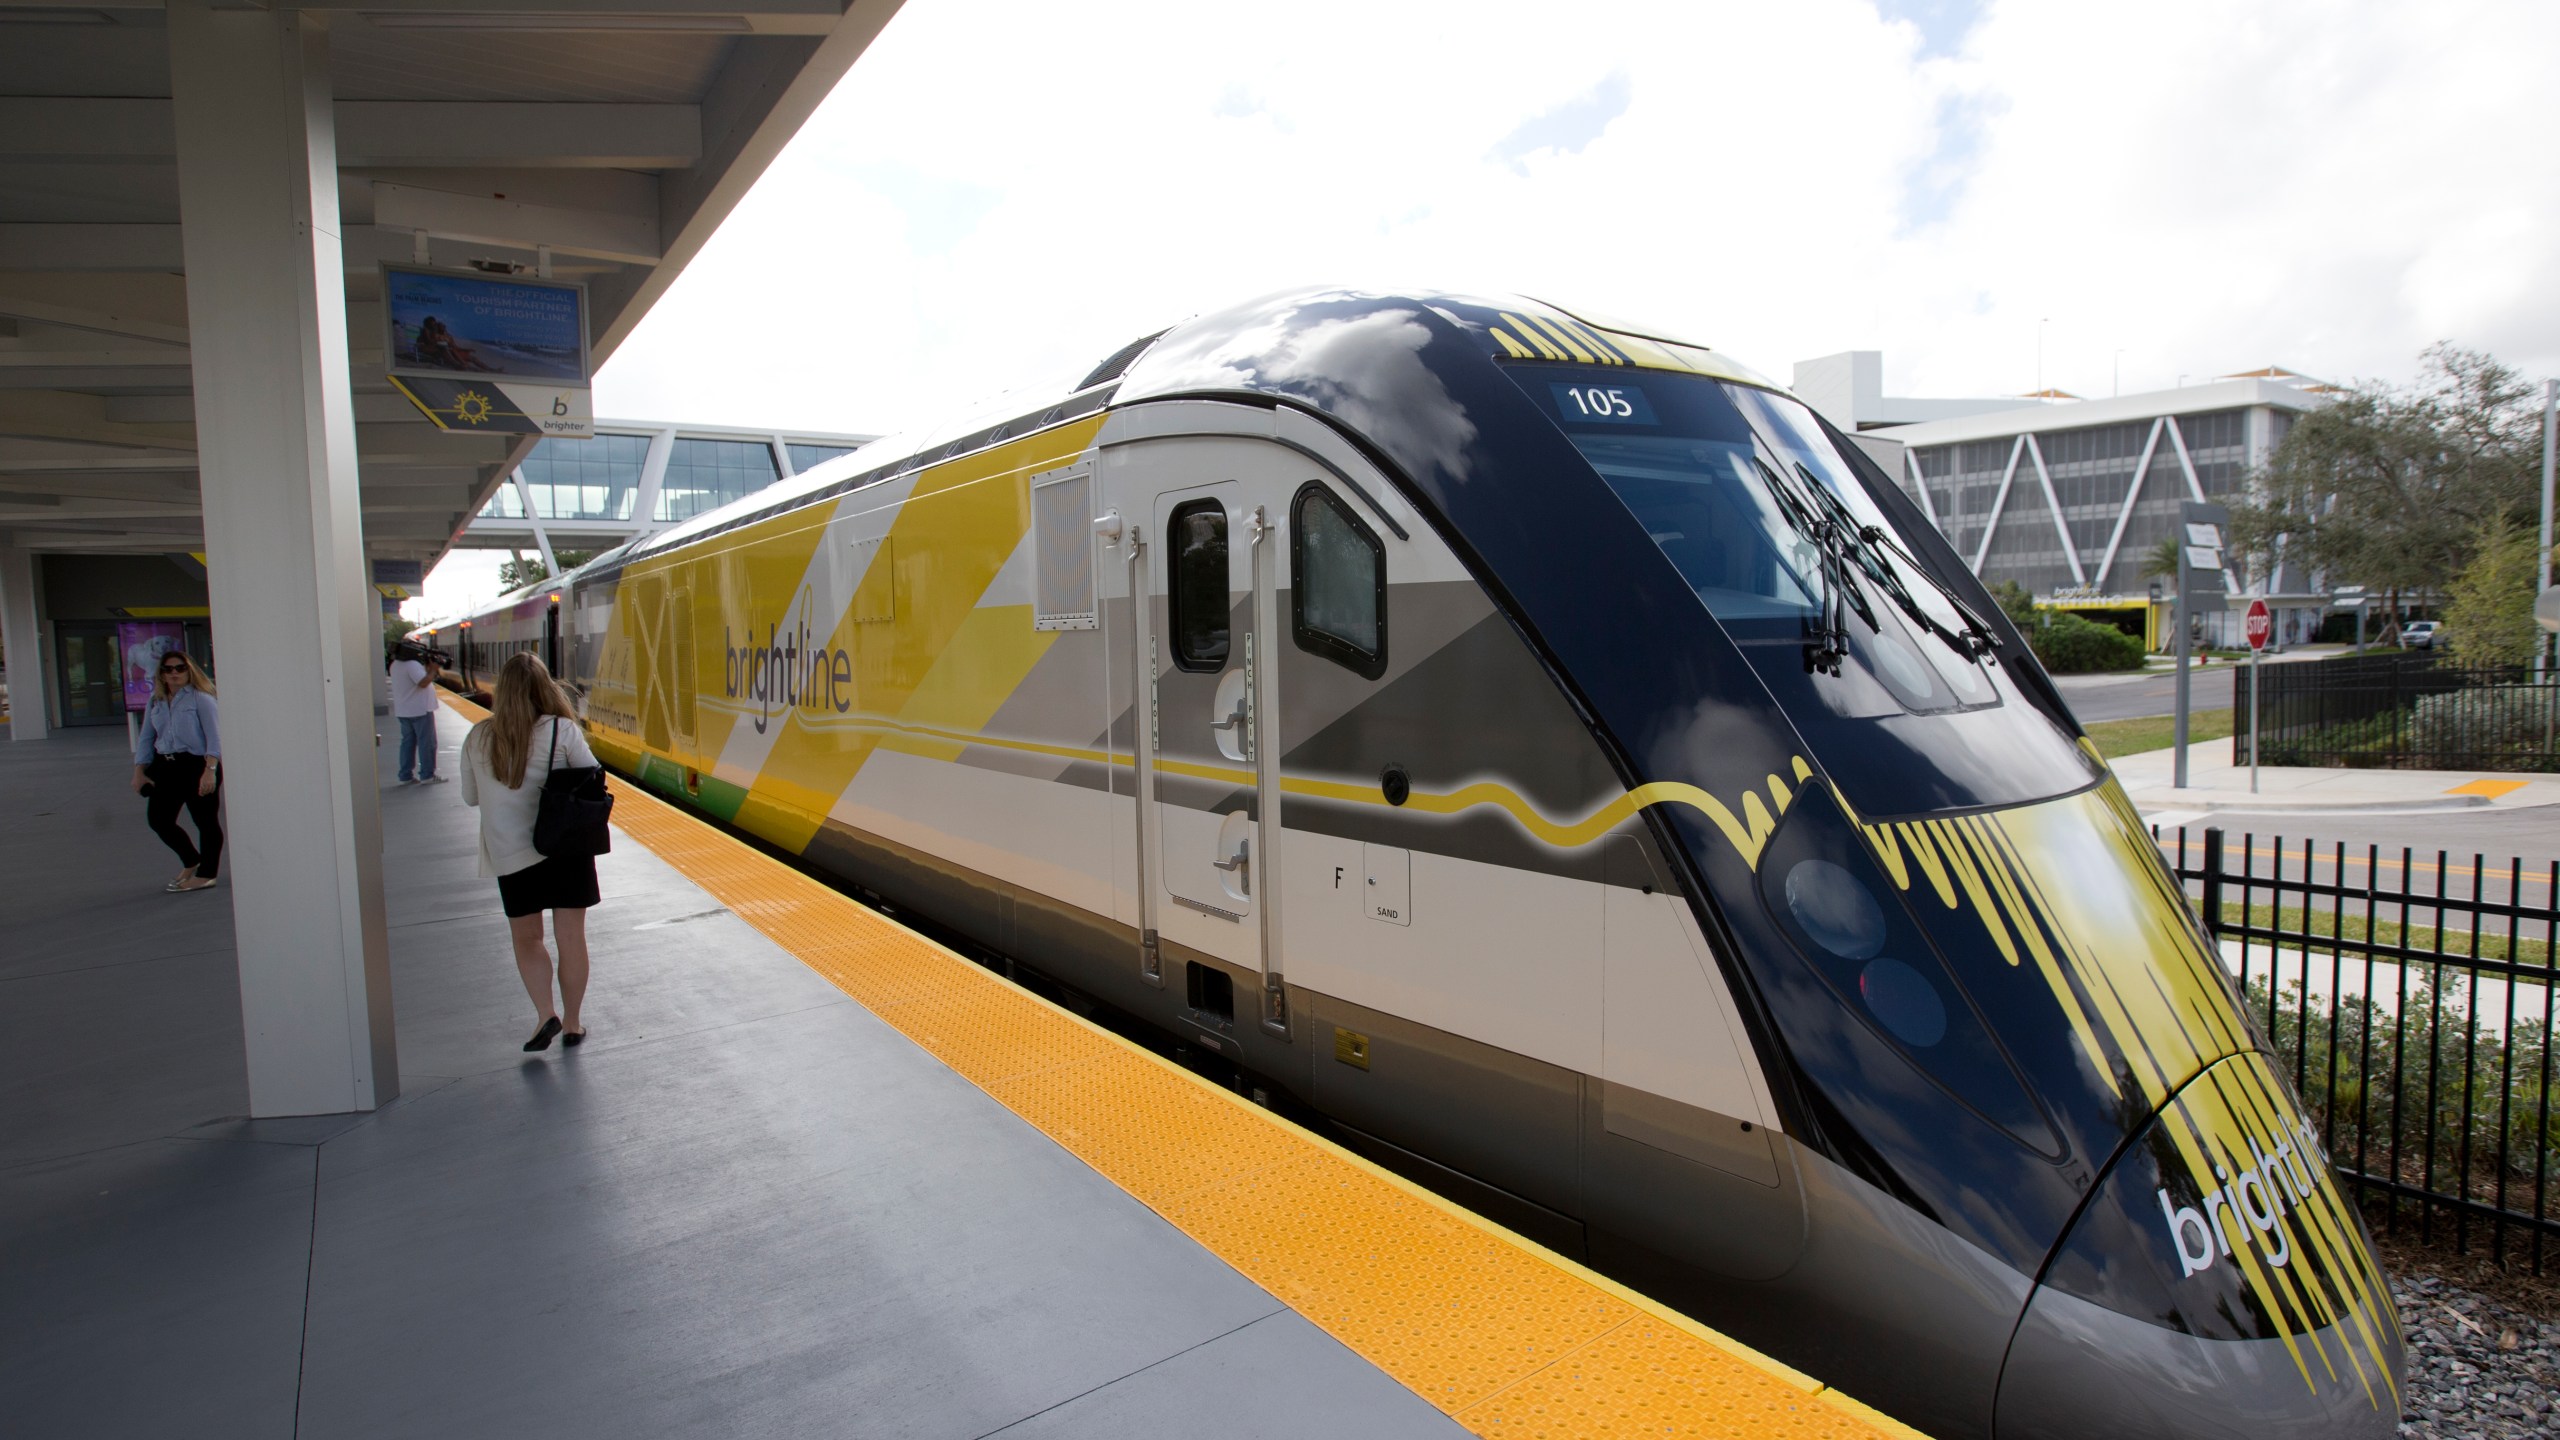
2395,488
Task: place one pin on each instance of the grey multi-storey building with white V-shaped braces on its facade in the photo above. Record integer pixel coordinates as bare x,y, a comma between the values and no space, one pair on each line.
2072,496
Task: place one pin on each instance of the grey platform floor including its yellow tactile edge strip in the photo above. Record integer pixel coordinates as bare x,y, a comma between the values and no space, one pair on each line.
813,1175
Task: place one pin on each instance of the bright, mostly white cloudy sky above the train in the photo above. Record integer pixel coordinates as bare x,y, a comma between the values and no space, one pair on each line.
1998,196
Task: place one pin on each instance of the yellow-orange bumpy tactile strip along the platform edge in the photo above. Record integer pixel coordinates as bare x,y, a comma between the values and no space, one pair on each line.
1509,1339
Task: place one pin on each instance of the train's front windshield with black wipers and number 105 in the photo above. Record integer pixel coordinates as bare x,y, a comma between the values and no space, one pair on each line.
1745,496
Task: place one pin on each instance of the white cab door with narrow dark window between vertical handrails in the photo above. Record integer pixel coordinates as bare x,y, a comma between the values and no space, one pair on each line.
1204,701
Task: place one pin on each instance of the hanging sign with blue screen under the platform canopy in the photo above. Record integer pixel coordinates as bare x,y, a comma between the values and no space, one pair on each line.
490,352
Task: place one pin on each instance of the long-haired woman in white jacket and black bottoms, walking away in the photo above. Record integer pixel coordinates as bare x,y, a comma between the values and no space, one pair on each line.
506,760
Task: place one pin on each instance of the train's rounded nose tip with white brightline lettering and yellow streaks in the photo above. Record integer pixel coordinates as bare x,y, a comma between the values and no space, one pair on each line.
2218,1285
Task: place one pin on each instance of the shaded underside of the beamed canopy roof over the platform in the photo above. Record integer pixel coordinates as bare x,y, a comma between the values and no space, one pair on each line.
616,132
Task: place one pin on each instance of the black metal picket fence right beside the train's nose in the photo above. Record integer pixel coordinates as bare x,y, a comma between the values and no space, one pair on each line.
2413,1003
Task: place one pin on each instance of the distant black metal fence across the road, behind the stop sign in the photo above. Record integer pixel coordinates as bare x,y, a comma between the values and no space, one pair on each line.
2400,711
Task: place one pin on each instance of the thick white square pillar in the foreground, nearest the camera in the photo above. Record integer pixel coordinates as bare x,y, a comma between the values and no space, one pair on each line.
275,419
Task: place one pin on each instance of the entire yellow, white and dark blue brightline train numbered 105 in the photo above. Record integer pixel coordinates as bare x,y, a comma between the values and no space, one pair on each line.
1560,760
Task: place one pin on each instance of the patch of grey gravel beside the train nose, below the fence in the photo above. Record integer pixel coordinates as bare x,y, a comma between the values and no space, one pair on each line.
2477,1370
